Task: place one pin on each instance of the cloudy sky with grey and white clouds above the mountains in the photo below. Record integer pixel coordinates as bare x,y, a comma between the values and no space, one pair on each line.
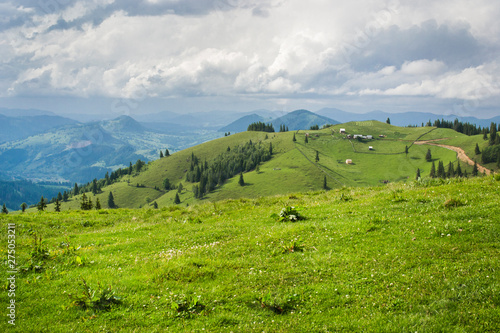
143,56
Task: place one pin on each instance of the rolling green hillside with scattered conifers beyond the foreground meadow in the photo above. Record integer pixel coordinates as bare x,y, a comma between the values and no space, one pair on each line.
293,166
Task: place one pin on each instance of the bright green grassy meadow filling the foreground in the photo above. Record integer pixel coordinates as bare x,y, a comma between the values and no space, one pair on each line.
407,257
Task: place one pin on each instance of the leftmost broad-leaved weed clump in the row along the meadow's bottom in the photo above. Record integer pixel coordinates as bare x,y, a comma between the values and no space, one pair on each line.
99,299
